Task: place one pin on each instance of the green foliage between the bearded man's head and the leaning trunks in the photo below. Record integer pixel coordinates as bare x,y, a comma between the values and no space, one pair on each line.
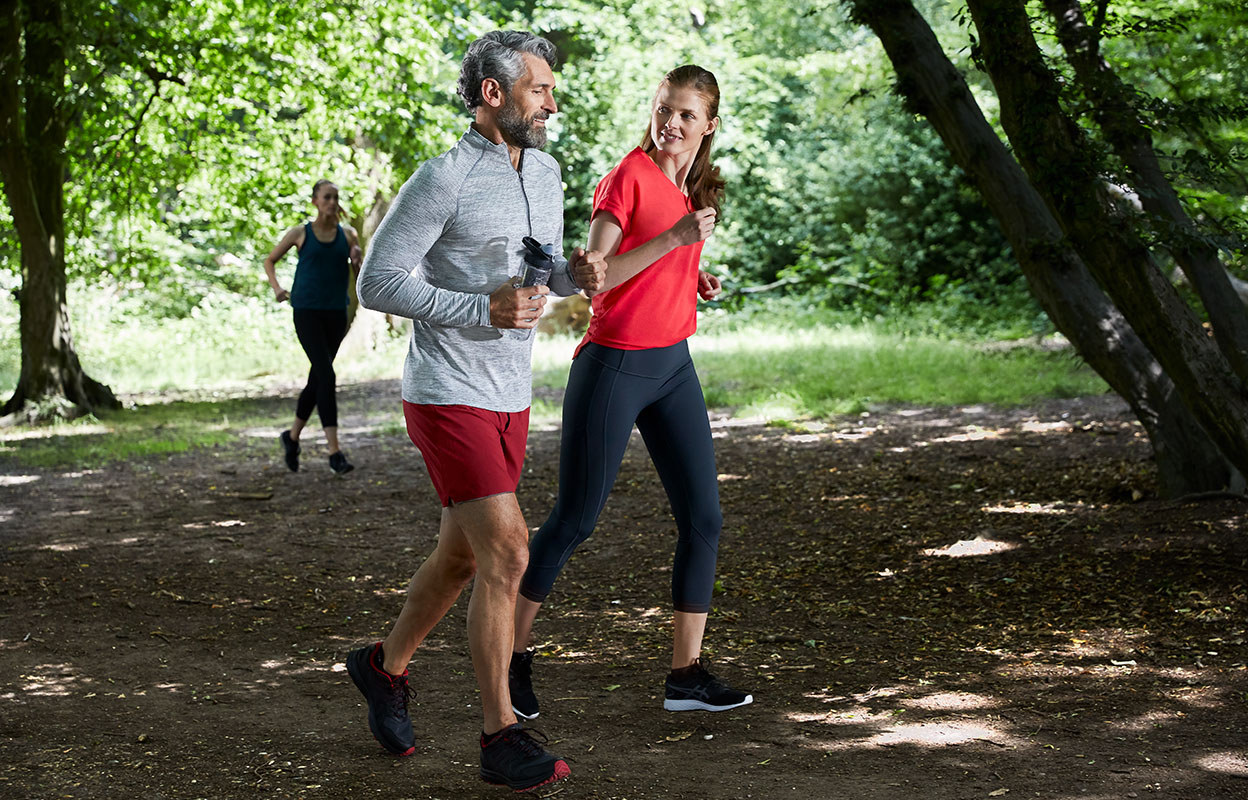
831,187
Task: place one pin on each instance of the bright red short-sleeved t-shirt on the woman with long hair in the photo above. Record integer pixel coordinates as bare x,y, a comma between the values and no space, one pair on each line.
658,306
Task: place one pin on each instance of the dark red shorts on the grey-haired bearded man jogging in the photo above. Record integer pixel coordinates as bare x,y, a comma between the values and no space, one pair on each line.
470,452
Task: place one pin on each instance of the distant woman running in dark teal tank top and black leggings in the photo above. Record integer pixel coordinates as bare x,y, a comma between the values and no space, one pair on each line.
329,253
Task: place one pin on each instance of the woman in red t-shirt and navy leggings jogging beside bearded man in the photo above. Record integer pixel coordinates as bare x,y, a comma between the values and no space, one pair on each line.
651,218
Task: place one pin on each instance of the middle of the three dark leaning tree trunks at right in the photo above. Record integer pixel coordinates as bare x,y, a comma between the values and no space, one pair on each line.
1058,158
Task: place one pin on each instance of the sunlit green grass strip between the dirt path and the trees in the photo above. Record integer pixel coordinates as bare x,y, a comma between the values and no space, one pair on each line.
783,364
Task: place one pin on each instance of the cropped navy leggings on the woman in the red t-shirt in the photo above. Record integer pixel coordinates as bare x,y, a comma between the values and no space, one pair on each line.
608,391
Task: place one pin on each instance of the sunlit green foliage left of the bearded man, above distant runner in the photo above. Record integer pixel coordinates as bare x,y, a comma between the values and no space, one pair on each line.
199,129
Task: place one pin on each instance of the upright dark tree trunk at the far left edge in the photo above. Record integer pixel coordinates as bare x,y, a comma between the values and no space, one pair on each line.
33,167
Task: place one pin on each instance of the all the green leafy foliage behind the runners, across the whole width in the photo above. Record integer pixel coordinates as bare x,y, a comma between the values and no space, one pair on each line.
199,129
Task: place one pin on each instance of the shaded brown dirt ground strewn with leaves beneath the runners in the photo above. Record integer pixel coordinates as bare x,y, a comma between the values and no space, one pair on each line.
942,605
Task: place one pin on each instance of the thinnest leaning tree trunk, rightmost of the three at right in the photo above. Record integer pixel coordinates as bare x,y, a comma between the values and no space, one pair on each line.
1131,142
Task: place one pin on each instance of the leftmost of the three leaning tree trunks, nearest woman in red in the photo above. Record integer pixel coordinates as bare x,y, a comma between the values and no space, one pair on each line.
932,85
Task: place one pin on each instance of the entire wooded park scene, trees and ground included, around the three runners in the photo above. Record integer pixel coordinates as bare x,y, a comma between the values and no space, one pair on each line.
953,560
